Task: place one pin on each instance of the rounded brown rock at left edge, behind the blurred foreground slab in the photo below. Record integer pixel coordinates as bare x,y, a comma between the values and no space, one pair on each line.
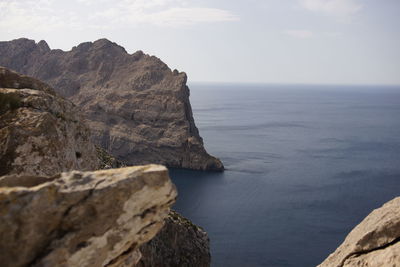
40,133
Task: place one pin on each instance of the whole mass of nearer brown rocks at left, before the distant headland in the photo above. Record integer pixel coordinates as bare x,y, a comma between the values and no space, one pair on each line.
58,209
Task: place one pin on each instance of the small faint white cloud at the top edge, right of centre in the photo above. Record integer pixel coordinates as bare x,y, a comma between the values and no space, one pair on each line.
338,8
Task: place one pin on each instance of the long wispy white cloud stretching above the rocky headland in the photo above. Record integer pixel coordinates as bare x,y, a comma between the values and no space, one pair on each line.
49,15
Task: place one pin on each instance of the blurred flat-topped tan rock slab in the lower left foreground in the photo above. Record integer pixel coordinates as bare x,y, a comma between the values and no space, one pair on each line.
82,218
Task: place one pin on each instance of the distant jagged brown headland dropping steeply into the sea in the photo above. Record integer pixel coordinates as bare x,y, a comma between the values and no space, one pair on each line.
138,109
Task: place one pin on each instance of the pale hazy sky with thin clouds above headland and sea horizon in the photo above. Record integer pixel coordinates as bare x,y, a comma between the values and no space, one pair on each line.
257,41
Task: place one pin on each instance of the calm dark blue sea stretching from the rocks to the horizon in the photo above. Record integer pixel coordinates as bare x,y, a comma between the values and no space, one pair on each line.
305,164
